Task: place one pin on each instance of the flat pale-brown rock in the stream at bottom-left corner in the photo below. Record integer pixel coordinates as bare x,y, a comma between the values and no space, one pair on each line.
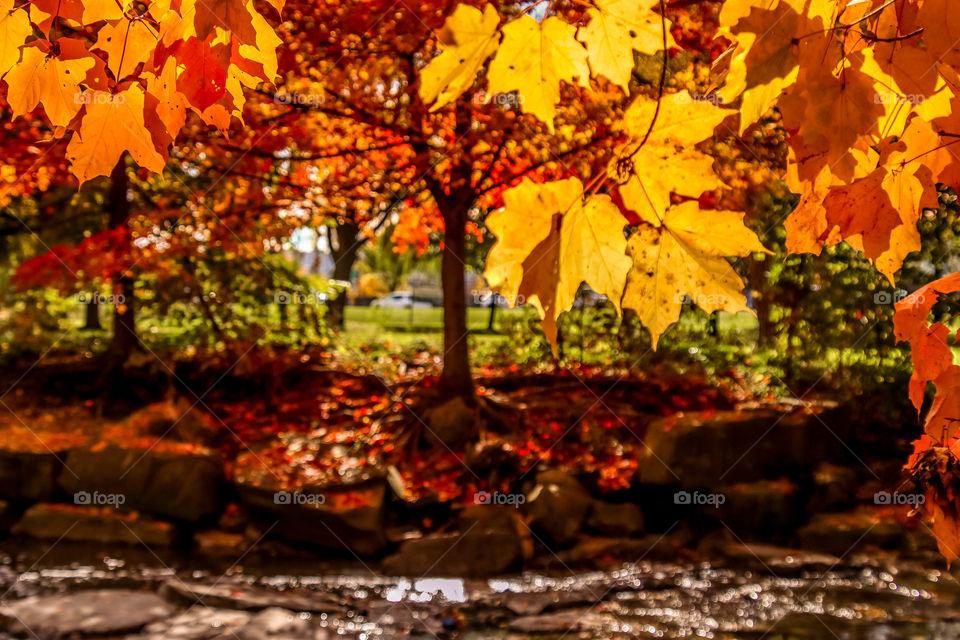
94,613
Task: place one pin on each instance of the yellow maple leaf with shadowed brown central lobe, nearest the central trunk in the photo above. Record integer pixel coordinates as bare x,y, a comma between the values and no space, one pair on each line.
549,241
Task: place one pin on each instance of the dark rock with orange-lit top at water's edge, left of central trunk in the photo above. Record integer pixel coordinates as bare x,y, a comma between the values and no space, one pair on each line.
348,517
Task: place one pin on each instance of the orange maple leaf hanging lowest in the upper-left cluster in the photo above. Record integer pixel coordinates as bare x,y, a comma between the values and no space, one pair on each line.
108,129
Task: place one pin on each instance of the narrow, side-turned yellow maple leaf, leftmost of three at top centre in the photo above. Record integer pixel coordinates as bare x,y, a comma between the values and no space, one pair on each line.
473,38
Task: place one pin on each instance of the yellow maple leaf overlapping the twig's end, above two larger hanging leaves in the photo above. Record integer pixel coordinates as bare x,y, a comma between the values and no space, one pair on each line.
667,161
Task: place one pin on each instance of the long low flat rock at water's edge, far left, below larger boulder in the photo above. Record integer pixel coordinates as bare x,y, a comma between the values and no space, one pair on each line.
93,524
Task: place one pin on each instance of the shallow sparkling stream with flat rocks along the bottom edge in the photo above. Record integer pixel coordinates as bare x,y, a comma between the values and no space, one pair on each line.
745,592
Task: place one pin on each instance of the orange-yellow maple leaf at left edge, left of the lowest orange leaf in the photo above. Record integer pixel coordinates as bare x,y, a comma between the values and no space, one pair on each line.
47,80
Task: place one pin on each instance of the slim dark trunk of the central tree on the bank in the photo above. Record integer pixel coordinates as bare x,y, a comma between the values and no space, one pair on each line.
456,379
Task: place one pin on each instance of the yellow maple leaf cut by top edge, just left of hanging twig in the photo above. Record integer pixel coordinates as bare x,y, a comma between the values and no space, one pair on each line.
616,29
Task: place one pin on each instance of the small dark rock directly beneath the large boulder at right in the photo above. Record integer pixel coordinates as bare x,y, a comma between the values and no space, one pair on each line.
759,510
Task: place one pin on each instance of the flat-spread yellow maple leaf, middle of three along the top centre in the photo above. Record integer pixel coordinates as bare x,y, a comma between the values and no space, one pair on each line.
533,58
